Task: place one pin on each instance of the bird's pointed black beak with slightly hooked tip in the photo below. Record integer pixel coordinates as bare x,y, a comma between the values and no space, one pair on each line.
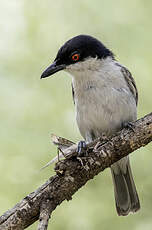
52,69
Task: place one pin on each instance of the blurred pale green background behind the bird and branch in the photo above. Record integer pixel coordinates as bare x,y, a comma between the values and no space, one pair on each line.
31,33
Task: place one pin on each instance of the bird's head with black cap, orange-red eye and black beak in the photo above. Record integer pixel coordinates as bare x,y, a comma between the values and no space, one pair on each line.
80,53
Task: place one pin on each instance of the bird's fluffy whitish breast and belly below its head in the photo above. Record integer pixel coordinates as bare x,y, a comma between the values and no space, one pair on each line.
103,100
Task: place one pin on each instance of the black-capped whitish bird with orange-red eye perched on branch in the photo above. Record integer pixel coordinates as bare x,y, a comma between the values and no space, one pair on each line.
105,98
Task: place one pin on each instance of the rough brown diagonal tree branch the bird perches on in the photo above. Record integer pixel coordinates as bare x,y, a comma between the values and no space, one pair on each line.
72,174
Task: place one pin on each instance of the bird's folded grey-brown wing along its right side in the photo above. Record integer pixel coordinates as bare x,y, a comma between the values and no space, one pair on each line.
130,81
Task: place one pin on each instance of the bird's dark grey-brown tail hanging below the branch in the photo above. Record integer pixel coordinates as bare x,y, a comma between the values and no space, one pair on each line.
126,196
